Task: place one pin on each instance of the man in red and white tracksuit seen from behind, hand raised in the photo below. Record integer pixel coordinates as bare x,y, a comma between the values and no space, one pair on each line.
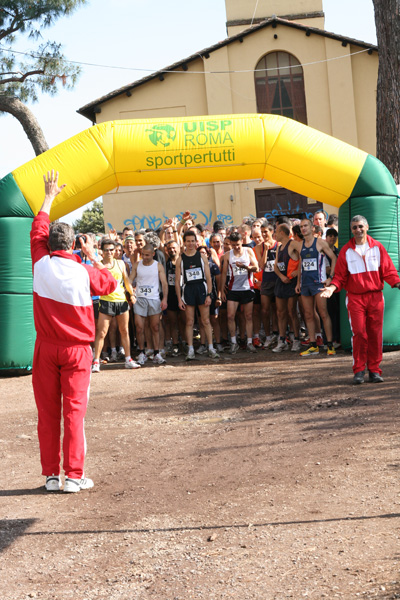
62,304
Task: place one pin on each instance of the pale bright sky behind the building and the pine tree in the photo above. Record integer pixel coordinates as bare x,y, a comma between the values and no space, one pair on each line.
134,39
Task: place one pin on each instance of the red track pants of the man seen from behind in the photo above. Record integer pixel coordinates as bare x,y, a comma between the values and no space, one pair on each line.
61,372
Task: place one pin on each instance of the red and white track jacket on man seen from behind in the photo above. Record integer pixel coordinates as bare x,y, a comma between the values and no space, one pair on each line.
62,290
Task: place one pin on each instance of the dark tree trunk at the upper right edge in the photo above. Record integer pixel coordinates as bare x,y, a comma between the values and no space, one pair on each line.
387,21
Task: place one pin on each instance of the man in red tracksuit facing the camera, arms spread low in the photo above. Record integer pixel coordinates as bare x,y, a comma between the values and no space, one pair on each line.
362,268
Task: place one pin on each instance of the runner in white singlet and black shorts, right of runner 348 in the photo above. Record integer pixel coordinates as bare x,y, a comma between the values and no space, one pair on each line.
240,264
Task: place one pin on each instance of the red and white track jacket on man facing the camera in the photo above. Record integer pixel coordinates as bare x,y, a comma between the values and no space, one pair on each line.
359,274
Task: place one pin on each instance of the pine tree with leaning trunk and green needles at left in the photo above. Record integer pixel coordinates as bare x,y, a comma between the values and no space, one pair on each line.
23,75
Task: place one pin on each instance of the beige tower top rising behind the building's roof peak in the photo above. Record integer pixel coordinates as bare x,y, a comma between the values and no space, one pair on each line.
241,14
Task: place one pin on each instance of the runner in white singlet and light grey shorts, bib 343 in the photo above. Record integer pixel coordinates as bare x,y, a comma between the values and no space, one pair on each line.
148,274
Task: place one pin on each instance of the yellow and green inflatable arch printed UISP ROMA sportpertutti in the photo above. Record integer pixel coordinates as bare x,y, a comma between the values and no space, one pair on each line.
186,150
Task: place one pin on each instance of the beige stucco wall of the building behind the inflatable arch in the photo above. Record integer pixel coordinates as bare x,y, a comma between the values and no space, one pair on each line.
340,97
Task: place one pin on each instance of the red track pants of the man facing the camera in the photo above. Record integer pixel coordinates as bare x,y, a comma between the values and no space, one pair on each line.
366,322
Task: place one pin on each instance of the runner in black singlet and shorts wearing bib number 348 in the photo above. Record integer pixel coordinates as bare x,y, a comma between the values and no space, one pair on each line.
193,270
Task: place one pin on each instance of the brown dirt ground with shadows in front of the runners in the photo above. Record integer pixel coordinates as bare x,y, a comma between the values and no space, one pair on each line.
252,477
